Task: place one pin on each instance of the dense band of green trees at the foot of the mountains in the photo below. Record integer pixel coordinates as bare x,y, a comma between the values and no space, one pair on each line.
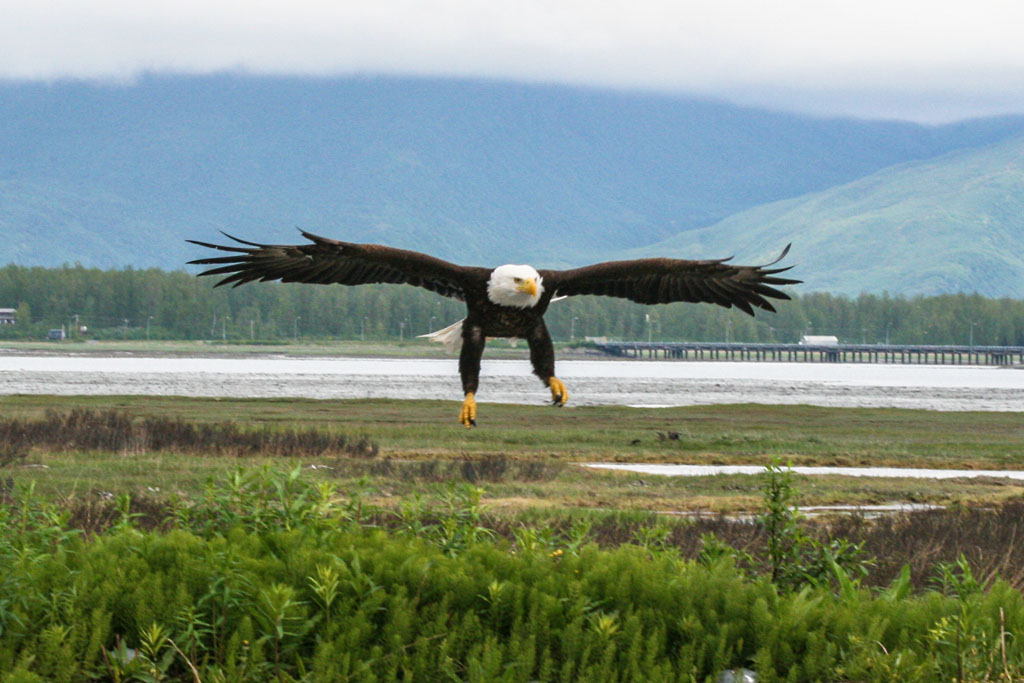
158,305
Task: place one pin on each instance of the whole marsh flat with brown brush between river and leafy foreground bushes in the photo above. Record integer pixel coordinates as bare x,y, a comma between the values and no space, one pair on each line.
168,451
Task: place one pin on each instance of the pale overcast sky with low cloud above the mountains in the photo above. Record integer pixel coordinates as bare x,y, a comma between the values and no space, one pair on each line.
928,61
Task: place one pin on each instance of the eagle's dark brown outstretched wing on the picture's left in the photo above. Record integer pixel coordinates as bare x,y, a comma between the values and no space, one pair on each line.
327,262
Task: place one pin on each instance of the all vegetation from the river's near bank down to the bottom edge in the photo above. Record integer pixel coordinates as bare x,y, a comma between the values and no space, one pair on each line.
160,539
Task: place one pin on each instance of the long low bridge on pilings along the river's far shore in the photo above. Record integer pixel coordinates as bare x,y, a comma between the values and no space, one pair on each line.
883,354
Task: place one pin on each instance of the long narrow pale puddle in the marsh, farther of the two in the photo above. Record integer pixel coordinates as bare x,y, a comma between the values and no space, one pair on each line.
893,473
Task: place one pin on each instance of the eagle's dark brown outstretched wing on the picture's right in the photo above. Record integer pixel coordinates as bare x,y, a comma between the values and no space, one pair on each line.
665,280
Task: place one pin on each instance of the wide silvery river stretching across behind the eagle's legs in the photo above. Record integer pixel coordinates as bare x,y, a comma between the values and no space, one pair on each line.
645,383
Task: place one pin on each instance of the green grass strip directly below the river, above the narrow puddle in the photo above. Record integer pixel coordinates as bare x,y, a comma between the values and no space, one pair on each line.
712,435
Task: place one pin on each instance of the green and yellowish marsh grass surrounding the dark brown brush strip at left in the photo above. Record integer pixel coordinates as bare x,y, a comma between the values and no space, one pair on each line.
528,457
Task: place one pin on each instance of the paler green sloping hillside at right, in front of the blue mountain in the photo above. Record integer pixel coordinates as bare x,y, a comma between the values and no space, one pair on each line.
955,224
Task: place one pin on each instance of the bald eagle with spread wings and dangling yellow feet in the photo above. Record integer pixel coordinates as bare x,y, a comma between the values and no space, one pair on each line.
507,302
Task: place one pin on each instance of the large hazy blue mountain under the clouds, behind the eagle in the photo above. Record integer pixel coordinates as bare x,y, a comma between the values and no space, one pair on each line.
473,172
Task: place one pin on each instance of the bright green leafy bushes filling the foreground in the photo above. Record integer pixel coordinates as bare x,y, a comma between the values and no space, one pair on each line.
272,577
